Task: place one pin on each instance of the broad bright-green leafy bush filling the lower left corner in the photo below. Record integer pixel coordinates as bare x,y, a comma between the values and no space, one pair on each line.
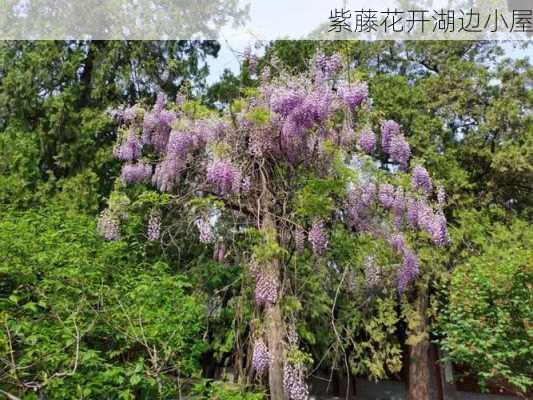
81,318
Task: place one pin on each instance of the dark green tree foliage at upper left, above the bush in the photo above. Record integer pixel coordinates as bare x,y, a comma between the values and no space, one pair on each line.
53,98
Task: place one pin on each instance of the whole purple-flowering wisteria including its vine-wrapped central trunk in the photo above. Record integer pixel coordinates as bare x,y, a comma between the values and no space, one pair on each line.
285,165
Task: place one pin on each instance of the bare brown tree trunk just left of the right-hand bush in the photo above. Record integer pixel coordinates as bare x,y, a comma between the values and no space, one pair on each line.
418,386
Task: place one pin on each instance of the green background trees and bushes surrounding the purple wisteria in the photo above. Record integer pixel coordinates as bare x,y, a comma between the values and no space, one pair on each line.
81,317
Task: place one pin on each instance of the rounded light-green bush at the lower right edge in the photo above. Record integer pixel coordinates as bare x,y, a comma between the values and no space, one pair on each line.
487,324
